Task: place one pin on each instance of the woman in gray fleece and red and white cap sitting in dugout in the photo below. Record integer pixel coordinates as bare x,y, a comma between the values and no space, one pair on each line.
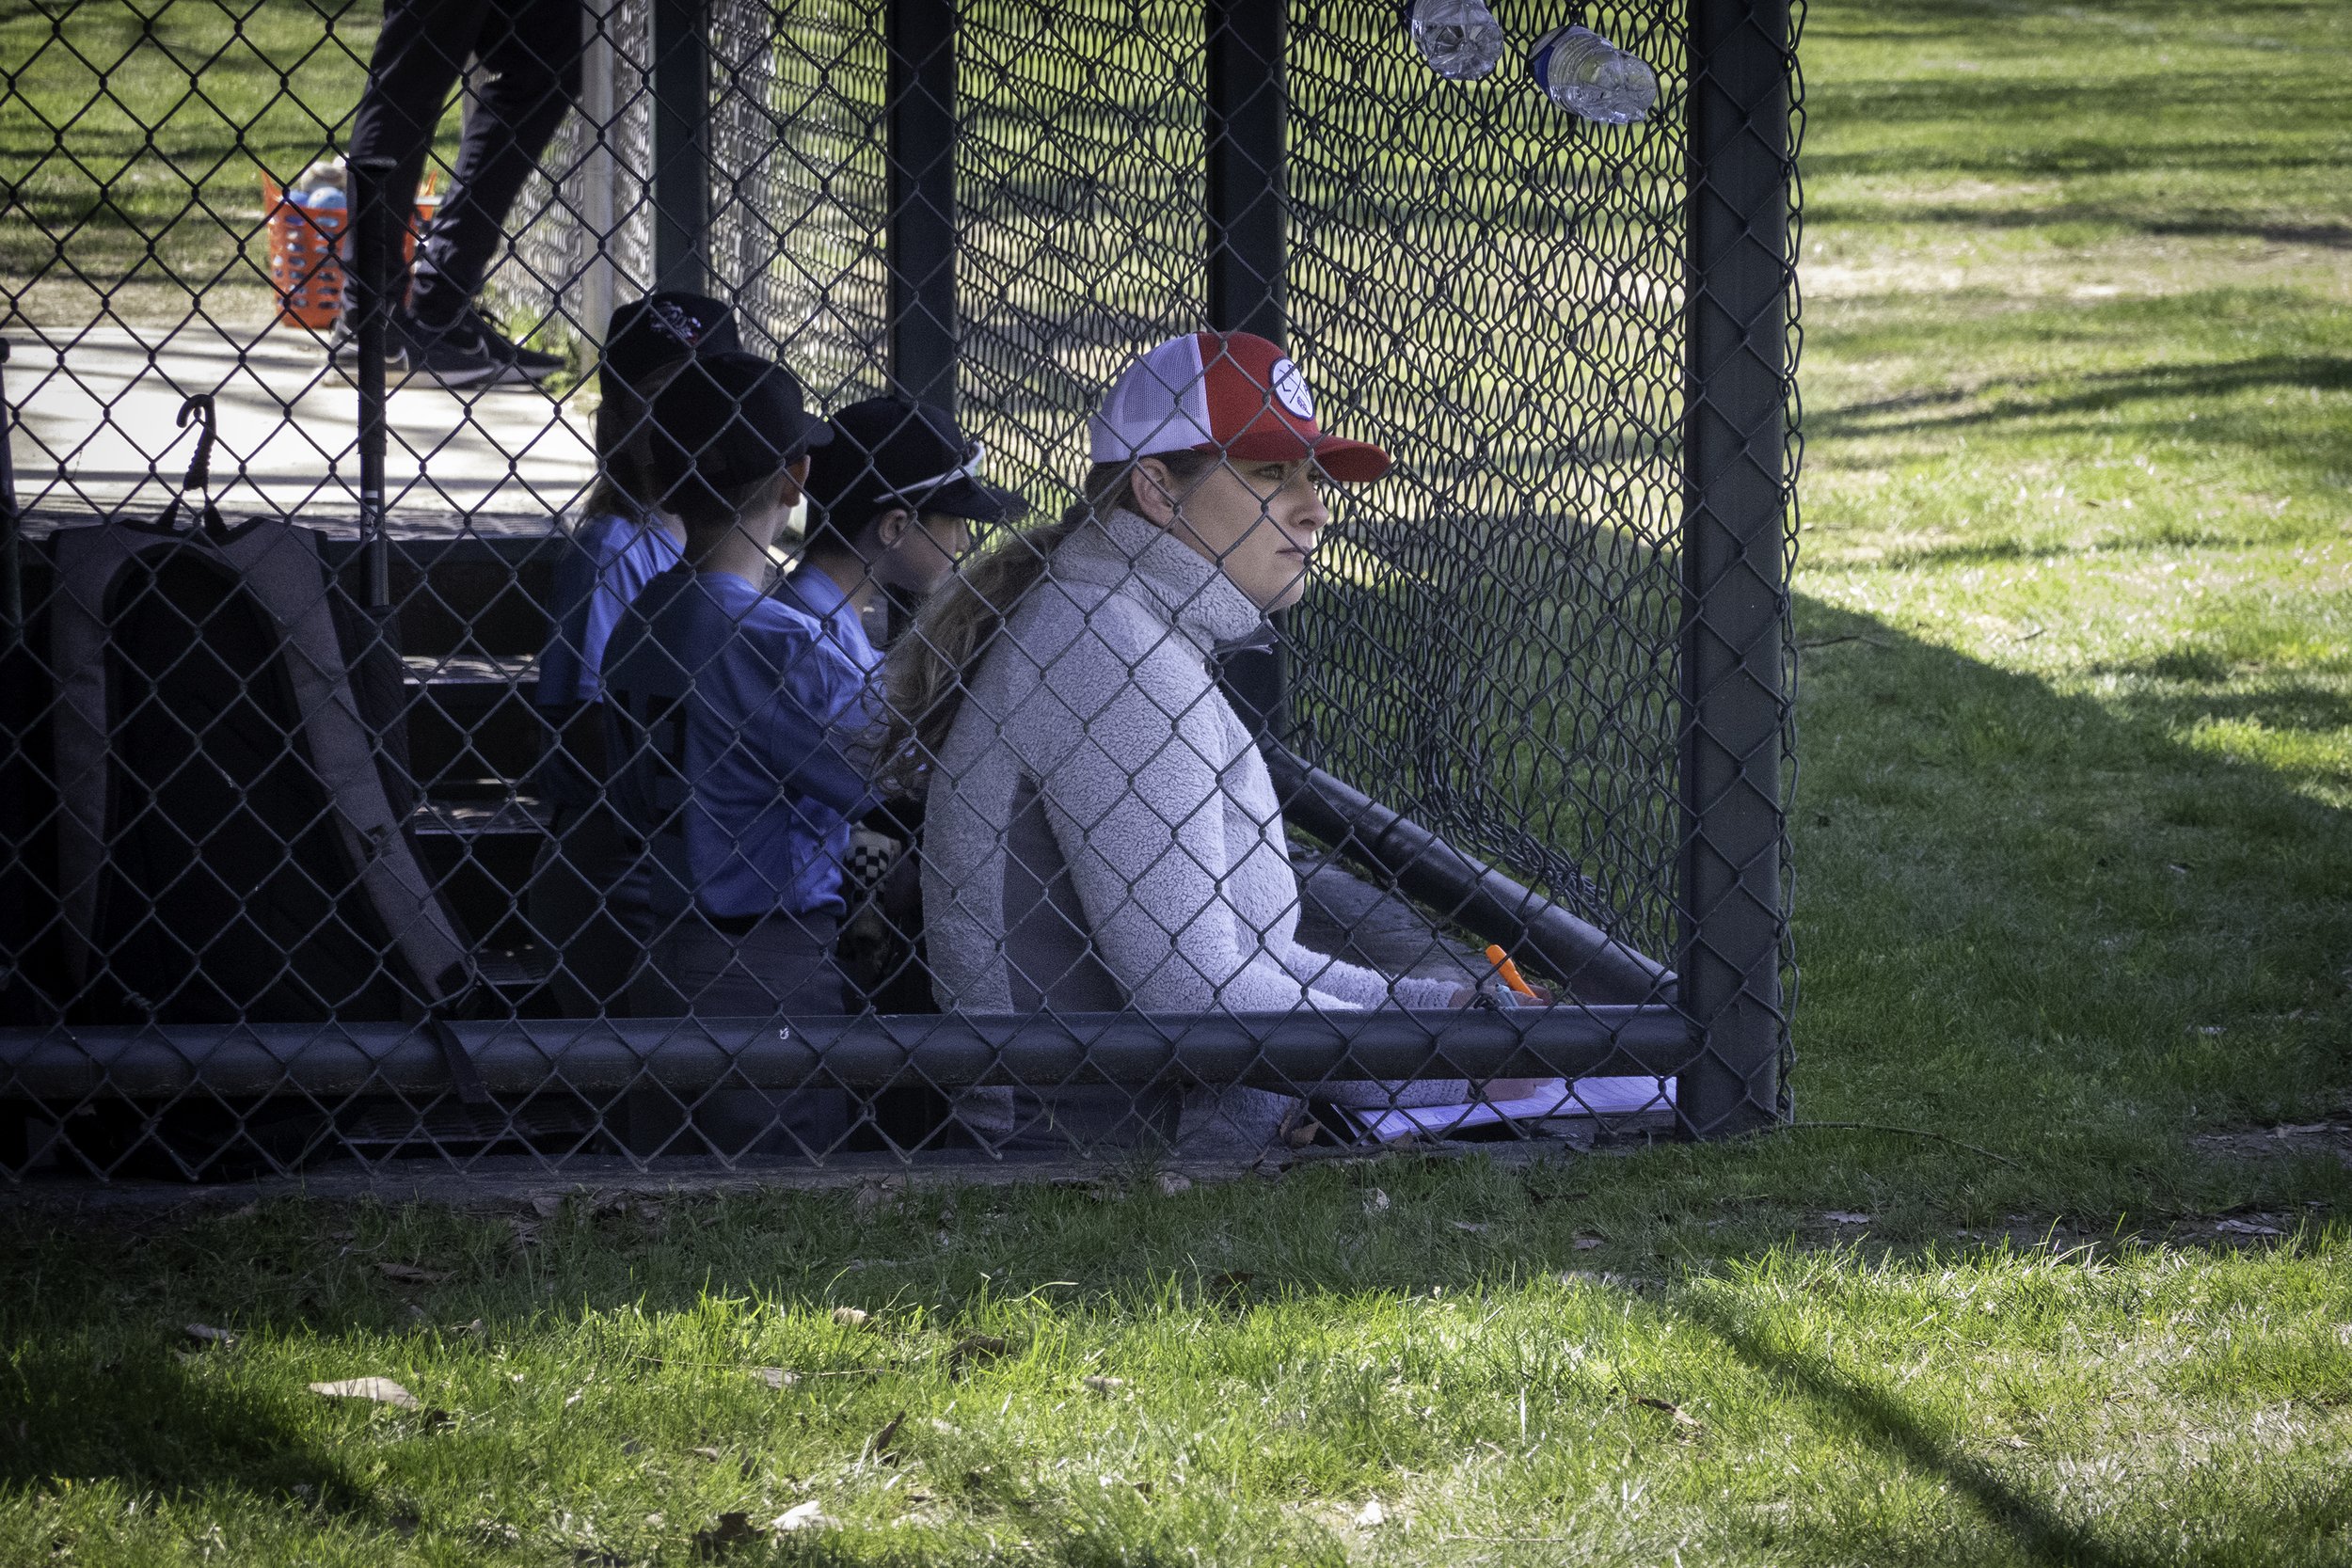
1100,826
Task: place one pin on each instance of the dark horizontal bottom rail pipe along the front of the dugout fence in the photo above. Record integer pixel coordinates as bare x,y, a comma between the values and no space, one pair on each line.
864,1052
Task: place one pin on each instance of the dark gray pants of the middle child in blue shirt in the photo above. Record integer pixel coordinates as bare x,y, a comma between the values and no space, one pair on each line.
777,967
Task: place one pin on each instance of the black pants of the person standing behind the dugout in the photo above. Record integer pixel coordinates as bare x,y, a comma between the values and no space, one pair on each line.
528,76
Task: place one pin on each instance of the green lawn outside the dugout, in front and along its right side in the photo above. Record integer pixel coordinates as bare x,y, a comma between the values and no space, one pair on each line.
2076,890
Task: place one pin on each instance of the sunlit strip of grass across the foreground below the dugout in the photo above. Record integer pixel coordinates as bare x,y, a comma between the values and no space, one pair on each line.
1805,1402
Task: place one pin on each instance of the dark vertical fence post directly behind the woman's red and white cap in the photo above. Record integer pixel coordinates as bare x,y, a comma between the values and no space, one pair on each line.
1250,246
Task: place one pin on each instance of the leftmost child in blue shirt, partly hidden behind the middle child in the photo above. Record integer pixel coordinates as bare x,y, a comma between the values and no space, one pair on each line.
587,899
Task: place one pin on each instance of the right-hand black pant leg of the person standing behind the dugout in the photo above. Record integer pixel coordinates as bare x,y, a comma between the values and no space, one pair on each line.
530,69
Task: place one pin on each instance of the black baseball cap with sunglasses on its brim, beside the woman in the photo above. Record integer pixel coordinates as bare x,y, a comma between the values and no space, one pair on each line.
895,453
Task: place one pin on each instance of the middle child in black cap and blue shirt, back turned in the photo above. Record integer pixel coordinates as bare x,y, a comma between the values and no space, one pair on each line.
737,716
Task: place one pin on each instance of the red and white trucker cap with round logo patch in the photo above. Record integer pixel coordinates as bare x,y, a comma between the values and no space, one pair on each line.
1222,391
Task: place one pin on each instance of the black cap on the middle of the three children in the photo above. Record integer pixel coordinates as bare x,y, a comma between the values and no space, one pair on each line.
730,420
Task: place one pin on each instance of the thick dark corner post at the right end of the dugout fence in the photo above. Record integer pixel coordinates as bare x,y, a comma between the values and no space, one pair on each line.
1735,575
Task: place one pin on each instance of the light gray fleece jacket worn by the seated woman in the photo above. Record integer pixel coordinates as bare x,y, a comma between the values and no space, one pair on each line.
1102,831
